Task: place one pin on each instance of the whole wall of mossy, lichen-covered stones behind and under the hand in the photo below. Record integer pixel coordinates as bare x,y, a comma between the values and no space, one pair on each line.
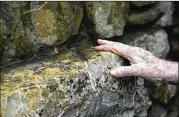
49,67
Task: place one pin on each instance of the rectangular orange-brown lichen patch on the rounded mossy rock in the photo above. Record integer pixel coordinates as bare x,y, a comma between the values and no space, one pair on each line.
44,20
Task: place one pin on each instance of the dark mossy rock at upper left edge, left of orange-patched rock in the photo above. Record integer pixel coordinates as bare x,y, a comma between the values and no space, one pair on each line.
16,40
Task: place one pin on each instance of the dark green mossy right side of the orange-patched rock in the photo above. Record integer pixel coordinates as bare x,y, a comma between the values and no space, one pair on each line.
68,19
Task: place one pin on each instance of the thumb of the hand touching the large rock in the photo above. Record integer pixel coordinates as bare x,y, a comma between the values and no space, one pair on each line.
125,71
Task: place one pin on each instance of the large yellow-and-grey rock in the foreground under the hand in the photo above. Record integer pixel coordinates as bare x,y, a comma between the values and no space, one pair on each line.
75,83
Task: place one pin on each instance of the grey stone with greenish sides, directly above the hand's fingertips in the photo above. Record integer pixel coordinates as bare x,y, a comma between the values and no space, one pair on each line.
107,19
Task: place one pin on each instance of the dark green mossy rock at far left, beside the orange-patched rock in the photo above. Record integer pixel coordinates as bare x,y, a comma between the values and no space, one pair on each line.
15,38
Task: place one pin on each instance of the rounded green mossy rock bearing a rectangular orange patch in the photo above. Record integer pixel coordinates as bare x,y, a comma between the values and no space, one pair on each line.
57,22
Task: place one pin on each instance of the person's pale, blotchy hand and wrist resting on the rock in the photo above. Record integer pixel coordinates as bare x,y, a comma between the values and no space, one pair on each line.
143,63
